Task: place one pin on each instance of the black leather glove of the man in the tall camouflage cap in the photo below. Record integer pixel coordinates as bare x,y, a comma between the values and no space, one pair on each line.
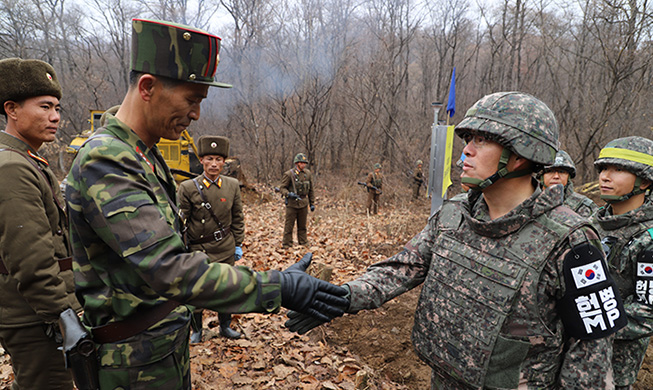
309,295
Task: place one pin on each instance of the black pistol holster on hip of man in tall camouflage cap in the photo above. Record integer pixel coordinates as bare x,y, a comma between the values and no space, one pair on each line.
79,351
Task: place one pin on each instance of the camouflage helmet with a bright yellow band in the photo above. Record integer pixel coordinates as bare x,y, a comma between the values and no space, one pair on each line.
634,154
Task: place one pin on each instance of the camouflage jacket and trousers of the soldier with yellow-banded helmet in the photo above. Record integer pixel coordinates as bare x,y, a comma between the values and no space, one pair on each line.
626,237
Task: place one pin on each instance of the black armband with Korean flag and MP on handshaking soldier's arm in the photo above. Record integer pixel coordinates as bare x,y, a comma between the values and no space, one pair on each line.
591,307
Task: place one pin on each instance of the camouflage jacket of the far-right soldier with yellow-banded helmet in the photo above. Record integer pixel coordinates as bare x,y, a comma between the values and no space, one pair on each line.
625,238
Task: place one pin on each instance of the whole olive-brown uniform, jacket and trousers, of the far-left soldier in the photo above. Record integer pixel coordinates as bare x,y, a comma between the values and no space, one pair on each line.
33,236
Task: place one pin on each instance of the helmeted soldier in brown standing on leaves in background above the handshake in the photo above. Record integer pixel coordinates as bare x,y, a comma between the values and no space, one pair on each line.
297,187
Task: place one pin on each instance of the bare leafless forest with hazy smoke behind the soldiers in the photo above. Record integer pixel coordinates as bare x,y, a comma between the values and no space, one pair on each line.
351,82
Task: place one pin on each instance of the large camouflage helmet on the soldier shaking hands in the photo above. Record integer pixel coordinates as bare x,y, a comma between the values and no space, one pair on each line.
520,122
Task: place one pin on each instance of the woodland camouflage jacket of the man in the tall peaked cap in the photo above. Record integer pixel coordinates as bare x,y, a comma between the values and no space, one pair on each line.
128,251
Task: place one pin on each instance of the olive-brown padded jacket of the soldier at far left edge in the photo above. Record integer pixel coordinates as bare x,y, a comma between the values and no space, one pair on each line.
33,235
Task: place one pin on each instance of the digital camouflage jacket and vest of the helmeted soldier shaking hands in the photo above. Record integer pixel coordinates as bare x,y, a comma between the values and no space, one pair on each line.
531,347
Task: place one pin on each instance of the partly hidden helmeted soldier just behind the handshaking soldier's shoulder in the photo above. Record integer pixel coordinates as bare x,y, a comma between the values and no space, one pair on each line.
560,172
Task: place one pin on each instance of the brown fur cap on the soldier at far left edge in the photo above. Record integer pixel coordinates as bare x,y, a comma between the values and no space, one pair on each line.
21,79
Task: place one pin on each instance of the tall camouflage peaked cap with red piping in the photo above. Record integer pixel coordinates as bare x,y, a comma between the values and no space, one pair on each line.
176,51
